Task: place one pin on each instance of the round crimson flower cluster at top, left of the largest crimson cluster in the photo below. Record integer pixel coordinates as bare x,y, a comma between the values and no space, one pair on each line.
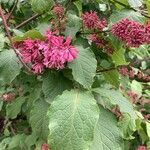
92,21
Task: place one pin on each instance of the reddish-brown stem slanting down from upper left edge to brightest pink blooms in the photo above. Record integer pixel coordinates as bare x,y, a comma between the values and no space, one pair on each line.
10,40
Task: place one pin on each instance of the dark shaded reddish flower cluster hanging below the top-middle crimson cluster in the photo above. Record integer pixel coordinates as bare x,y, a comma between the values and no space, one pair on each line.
102,43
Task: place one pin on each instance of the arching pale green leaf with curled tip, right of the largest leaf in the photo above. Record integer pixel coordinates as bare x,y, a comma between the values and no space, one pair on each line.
109,98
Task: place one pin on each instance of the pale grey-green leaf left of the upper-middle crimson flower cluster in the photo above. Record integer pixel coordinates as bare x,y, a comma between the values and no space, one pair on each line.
73,26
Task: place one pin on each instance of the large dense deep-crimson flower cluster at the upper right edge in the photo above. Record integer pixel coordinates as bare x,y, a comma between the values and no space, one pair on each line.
131,32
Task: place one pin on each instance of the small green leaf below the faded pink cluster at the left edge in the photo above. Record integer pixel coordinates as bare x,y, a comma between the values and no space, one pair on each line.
14,108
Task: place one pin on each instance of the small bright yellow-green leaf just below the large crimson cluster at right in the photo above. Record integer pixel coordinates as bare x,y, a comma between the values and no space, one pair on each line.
118,57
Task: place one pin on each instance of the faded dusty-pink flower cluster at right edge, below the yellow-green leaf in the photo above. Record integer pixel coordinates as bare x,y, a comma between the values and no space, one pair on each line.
132,74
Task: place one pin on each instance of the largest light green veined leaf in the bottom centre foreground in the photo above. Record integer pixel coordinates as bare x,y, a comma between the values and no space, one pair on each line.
73,116
